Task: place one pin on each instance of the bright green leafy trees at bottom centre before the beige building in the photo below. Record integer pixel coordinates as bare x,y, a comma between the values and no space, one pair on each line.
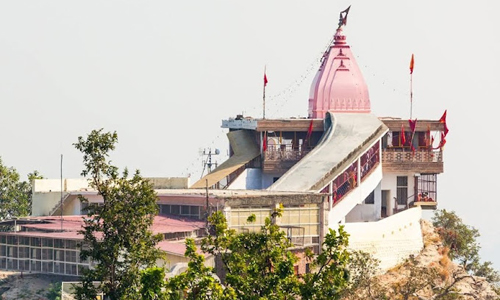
260,265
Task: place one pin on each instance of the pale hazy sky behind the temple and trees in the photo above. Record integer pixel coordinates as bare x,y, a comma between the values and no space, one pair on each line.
163,74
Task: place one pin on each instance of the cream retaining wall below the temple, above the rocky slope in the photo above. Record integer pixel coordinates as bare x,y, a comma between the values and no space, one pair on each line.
390,240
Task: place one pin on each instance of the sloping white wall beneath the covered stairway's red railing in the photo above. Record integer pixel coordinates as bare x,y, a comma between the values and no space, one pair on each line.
341,209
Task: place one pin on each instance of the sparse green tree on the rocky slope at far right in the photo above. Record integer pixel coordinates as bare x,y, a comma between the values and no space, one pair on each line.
461,239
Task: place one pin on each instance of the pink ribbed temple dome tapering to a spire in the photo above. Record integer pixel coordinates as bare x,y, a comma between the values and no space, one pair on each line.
339,85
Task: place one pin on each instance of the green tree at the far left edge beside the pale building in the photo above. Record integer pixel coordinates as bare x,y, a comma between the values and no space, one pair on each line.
15,195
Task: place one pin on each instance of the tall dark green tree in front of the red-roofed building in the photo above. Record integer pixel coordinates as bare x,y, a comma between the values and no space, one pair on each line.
116,233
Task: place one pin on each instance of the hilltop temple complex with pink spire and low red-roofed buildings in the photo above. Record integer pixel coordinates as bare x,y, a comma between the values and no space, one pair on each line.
340,165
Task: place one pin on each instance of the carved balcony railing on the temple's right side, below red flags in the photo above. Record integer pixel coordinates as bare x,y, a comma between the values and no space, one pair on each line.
419,161
